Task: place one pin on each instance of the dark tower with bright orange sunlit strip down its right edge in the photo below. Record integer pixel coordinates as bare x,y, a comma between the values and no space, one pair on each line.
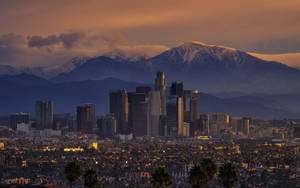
175,116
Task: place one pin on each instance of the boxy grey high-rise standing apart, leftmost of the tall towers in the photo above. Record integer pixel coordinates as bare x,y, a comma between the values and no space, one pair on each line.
44,114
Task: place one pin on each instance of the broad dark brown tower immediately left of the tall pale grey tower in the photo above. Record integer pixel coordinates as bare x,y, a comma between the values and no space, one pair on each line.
138,109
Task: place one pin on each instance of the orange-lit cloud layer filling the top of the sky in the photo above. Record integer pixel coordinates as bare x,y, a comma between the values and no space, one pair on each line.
241,24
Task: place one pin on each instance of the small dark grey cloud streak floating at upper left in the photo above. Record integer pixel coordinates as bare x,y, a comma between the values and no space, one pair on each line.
68,40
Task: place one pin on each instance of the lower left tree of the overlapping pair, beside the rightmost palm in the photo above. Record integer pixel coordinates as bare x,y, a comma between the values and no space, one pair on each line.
198,177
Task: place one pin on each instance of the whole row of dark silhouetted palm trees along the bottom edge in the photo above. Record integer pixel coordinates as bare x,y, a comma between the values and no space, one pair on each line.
200,175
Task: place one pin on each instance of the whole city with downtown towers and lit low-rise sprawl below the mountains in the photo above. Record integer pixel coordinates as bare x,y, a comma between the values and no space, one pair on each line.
145,130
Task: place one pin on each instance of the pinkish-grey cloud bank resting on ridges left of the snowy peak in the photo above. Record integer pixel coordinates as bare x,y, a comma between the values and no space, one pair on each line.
53,50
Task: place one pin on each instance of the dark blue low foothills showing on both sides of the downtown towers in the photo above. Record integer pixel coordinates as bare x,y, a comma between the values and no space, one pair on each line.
19,93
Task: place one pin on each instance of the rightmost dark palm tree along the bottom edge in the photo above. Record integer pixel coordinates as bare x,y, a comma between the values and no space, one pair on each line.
228,175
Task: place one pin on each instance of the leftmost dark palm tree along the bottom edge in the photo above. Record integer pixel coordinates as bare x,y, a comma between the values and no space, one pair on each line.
73,172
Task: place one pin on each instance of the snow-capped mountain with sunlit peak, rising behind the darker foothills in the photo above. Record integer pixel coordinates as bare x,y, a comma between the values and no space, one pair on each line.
210,68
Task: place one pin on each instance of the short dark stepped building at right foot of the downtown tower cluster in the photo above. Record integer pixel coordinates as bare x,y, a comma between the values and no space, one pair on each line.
201,126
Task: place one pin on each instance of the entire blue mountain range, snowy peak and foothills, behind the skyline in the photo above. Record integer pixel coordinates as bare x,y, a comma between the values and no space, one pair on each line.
265,89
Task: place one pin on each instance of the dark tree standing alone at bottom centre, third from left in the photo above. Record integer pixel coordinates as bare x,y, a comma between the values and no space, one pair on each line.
161,178
